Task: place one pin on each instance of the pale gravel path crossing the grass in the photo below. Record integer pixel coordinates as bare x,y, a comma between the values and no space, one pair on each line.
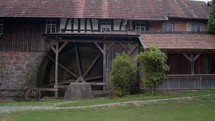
4,109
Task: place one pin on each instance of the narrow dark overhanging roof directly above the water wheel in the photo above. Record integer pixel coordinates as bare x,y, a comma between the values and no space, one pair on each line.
94,36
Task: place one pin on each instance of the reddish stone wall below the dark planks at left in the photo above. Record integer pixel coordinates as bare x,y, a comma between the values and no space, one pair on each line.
18,71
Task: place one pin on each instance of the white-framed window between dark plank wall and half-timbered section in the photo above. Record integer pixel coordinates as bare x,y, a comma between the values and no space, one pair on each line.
51,26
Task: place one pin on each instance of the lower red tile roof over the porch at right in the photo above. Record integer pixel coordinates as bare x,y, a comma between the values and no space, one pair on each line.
180,41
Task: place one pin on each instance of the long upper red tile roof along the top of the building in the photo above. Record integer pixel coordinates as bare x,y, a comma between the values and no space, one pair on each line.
123,9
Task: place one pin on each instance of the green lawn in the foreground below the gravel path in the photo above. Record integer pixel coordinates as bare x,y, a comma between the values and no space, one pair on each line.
196,109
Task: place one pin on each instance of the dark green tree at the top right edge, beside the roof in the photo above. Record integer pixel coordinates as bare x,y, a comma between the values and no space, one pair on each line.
211,21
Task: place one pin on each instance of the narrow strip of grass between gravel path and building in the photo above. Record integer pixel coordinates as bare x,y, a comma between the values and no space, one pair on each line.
145,96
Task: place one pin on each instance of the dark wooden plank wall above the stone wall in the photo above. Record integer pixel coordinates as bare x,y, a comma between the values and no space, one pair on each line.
23,35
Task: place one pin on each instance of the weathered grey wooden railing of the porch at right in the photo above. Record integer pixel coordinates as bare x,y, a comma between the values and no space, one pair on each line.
188,82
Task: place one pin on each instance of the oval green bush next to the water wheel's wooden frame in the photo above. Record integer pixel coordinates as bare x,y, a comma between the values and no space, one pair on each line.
123,74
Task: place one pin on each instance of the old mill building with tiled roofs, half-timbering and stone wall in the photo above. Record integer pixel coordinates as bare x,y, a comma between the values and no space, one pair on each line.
48,43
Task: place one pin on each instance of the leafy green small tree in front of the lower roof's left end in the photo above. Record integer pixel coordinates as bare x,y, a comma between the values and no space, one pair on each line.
154,67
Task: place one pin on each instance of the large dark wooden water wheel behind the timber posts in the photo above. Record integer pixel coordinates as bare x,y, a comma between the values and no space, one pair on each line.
78,62
